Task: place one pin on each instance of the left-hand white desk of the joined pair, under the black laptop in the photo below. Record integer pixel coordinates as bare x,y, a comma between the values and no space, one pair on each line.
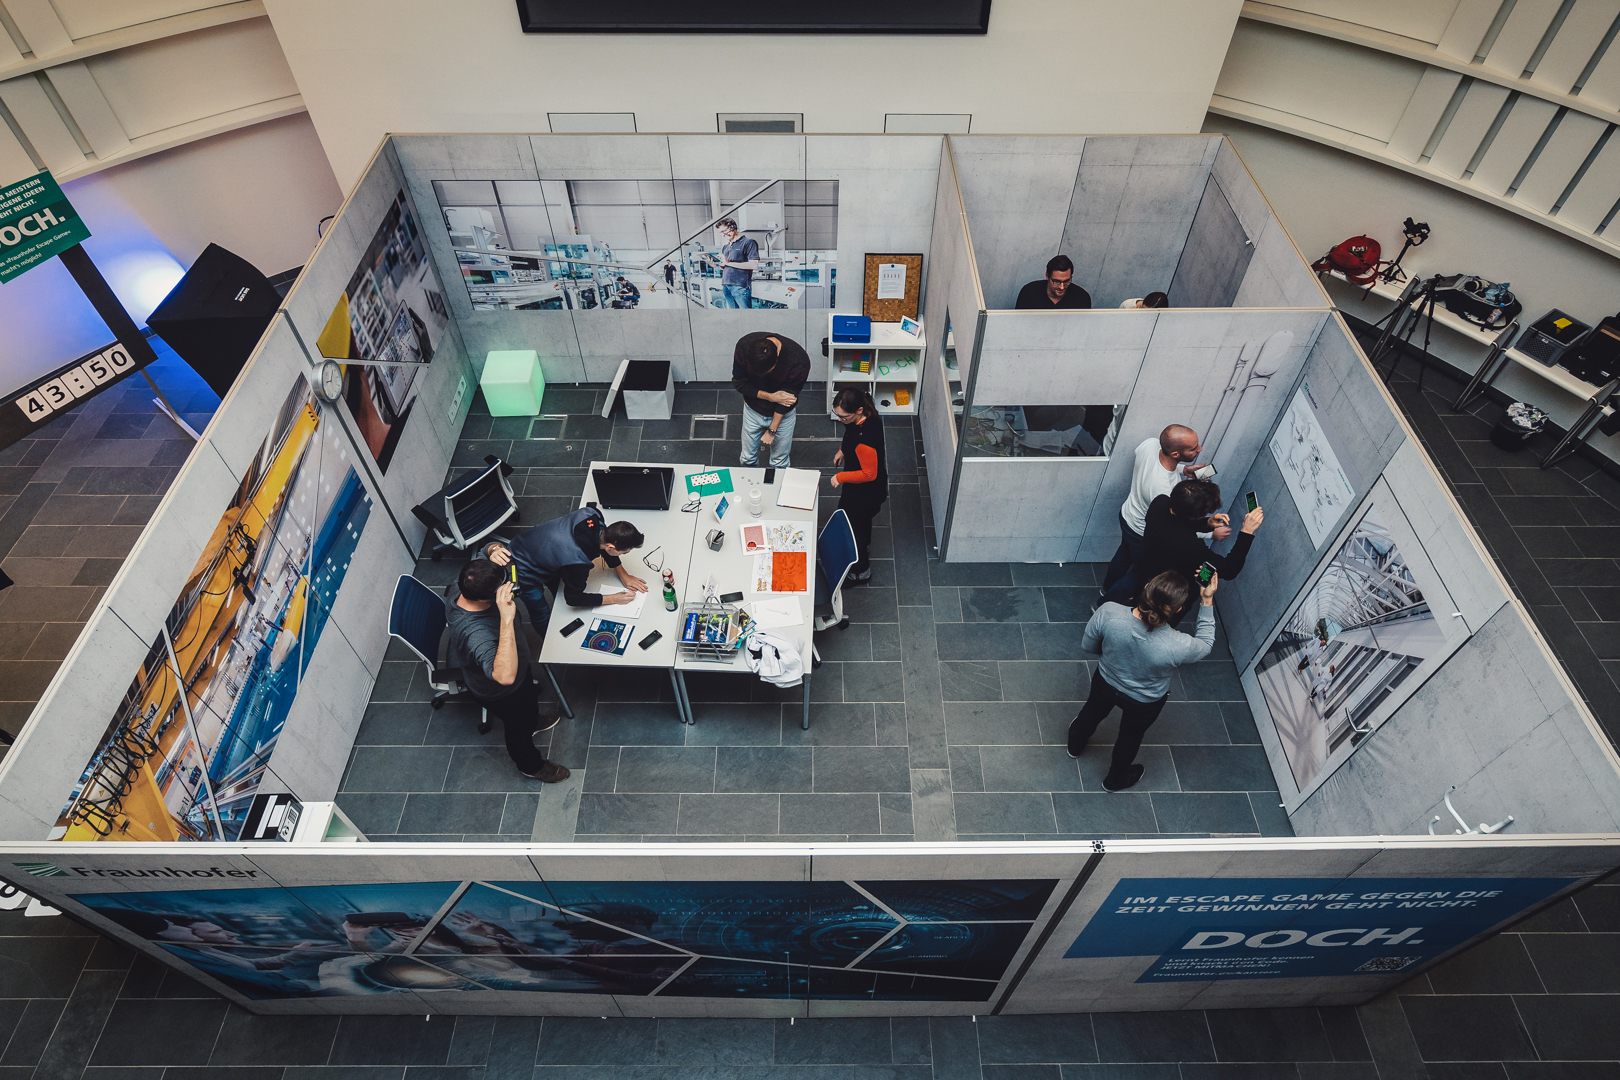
670,535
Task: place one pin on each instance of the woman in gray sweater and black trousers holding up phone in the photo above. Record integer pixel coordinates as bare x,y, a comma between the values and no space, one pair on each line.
1140,650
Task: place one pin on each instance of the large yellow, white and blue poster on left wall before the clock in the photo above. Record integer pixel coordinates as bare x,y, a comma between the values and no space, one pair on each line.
241,636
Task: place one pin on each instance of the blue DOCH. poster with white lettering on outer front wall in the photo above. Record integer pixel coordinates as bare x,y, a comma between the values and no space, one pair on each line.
1229,929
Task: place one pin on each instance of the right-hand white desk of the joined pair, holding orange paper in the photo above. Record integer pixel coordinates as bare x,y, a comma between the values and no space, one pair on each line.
733,572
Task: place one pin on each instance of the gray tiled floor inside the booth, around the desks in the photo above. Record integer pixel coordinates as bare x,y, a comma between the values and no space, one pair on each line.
940,713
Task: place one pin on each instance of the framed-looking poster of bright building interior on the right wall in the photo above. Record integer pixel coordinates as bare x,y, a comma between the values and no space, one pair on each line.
1350,648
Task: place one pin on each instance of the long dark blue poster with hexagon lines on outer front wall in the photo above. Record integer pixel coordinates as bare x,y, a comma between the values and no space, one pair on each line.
720,940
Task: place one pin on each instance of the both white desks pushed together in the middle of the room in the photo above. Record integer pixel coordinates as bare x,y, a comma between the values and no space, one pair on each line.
676,540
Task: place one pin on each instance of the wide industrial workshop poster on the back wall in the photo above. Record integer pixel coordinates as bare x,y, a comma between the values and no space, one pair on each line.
626,245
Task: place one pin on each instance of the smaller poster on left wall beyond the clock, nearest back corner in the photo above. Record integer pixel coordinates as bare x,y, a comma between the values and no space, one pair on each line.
391,315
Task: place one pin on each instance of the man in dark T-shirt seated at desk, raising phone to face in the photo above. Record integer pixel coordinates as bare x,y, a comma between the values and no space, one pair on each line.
495,658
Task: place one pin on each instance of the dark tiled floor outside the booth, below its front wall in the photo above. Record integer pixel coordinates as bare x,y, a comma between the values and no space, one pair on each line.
1537,1003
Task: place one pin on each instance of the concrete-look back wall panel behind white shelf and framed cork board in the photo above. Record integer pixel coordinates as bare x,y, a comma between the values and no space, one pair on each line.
887,190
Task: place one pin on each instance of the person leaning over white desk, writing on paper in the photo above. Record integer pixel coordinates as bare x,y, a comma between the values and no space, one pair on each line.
565,551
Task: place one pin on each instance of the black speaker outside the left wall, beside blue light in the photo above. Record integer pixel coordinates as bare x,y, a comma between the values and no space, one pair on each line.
216,315
